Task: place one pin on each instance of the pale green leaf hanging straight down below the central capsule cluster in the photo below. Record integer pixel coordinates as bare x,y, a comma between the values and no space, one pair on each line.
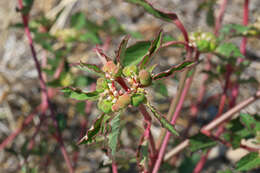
114,134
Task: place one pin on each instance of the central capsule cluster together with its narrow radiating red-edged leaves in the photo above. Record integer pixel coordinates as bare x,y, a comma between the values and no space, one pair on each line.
119,87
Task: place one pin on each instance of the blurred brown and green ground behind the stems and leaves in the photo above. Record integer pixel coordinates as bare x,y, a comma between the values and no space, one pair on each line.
65,32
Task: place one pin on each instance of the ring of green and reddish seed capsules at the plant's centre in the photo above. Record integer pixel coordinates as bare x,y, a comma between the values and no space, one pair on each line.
113,99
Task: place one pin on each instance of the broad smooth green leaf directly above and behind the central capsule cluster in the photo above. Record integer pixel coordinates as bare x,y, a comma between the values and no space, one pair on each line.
135,53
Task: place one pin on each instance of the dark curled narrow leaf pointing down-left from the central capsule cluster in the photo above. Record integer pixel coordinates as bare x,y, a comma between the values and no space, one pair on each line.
93,131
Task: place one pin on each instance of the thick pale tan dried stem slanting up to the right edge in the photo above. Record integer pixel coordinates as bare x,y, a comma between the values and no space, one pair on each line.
215,123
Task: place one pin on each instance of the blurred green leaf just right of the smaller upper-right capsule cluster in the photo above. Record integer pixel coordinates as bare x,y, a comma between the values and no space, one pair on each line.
228,50
